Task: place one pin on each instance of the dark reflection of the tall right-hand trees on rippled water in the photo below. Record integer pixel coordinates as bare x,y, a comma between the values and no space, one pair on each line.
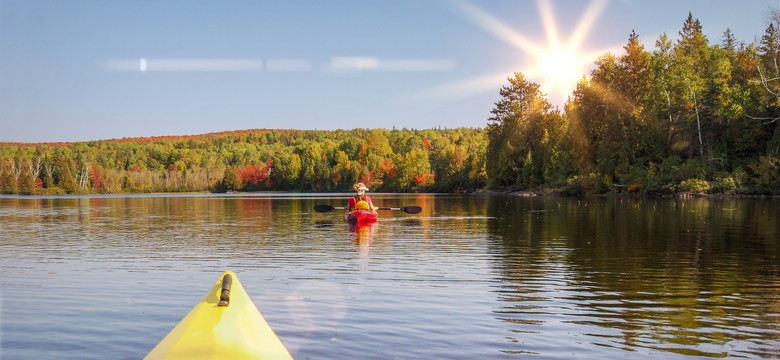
686,277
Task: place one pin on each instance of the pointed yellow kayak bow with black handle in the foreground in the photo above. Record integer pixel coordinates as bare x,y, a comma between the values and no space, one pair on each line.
215,330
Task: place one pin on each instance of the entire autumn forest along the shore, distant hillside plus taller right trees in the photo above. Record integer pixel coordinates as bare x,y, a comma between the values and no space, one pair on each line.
687,116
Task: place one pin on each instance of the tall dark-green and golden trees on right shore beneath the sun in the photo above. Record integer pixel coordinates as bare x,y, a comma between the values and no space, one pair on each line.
686,116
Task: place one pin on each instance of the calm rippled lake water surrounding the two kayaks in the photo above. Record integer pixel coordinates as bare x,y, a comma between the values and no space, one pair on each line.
469,277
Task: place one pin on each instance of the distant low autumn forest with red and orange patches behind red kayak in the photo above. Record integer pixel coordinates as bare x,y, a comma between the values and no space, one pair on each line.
446,160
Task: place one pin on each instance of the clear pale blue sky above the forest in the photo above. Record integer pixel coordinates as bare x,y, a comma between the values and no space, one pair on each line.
87,70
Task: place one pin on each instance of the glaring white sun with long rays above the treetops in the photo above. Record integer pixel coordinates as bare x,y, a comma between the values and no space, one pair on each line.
556,65
